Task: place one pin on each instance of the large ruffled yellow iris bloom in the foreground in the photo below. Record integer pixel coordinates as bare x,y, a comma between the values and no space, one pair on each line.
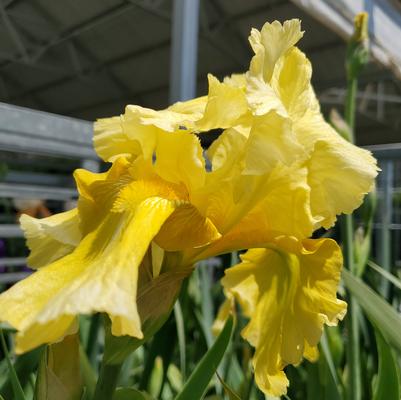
278,172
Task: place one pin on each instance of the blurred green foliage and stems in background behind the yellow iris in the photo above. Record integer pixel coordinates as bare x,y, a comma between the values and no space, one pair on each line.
360,359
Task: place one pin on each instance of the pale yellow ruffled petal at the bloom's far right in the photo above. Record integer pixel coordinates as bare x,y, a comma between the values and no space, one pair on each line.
339,173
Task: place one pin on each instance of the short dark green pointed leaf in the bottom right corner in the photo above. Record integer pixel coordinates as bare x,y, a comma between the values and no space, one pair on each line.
387,384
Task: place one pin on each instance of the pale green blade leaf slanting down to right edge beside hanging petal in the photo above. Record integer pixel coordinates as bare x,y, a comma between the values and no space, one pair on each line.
382,314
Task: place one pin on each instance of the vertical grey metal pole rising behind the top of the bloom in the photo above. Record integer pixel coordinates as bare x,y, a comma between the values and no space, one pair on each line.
184,50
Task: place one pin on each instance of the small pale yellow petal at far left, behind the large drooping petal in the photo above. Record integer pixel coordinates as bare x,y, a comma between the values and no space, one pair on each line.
52,237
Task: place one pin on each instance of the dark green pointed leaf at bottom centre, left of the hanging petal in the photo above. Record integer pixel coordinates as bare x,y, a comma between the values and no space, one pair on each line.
198,381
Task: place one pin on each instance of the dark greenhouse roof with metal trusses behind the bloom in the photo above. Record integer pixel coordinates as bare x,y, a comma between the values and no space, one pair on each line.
90,58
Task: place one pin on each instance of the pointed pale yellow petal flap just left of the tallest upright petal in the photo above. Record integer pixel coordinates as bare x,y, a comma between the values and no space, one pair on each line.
226,105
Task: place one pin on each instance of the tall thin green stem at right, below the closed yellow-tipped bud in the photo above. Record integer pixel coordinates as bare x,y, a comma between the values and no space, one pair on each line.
353,349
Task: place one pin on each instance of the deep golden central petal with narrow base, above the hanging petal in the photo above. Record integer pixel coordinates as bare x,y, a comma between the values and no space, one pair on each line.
270,205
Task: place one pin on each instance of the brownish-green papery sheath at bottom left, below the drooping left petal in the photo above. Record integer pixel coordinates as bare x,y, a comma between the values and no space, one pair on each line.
59,371
